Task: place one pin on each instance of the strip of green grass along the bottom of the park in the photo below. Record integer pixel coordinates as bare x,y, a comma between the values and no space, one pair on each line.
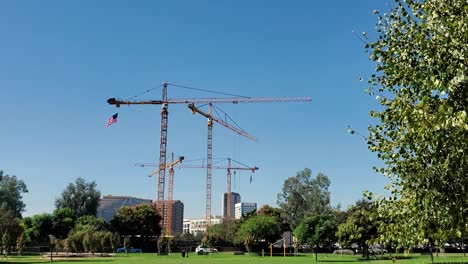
229,258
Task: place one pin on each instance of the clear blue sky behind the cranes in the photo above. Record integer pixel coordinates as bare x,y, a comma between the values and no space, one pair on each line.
61,60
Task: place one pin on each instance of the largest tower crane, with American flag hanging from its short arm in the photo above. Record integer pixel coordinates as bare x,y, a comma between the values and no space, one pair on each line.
164,102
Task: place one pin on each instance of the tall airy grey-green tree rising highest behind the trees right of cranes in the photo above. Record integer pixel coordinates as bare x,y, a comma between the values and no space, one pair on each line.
304,196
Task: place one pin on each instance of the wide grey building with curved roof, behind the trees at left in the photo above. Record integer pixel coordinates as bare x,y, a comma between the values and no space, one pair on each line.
109,205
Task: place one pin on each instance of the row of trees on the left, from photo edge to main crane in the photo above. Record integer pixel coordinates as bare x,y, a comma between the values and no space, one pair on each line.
72,226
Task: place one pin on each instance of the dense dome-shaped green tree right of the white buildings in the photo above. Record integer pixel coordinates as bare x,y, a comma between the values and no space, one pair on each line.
258,228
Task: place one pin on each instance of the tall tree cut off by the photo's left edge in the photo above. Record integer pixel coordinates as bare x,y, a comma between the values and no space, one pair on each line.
11,194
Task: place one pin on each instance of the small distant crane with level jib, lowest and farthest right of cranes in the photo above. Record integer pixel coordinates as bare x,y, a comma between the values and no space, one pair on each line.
229,168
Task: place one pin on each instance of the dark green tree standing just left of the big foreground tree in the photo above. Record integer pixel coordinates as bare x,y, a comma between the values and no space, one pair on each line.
360,227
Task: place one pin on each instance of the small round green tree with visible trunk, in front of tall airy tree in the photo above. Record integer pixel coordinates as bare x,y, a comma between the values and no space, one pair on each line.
316,230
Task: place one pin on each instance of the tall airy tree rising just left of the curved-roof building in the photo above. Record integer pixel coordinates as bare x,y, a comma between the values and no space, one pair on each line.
81,197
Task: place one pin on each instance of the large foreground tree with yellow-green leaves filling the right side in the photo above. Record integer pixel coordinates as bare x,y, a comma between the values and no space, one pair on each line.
421,83
